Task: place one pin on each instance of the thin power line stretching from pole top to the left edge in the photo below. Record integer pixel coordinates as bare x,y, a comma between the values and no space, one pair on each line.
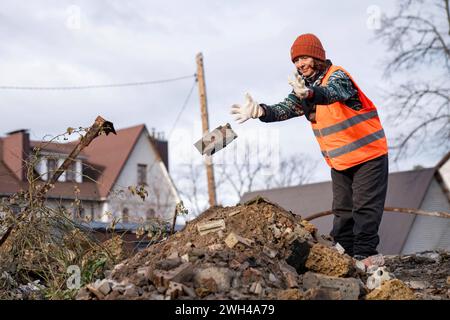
82,87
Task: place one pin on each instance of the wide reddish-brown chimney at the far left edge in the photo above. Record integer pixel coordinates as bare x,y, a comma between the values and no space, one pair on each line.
16,147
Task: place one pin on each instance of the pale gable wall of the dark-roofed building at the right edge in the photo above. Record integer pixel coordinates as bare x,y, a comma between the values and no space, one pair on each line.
430,233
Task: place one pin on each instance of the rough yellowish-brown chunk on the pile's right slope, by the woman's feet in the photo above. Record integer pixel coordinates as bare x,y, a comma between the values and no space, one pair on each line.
328,261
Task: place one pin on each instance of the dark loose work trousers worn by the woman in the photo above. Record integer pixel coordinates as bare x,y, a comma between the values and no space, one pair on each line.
359,194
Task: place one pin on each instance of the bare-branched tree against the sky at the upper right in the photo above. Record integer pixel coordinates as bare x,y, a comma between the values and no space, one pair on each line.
419,39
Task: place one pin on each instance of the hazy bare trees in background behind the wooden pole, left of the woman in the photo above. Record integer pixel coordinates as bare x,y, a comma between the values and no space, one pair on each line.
251,168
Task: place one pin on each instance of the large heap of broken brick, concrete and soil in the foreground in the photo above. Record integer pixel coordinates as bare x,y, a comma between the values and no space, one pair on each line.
253,251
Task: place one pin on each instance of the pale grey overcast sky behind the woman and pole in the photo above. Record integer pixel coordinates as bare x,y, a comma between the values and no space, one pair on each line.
245,46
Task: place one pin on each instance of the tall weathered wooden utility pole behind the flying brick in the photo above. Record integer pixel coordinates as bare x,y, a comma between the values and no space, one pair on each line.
205,127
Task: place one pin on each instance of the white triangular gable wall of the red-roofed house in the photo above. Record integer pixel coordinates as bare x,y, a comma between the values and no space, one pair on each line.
160,198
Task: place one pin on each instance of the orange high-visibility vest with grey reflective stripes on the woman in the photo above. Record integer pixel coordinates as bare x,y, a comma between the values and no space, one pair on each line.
348,137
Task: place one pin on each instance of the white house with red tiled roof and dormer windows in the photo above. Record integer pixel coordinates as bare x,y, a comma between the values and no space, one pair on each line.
98,185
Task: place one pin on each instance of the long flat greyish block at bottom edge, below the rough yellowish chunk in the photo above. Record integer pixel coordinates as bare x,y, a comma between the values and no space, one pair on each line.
348,288
